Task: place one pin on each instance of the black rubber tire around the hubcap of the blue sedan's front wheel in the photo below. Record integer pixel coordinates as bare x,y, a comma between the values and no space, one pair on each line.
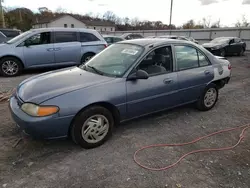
76,129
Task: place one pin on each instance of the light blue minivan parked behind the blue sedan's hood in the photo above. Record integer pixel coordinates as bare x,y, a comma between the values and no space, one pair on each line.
49,47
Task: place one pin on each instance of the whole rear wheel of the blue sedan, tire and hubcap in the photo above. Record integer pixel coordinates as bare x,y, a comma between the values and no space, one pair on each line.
208,98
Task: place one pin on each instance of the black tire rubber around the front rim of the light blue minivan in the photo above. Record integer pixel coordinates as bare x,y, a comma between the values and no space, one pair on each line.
18,66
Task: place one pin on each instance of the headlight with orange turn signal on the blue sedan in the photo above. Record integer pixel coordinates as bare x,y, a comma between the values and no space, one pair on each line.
39,111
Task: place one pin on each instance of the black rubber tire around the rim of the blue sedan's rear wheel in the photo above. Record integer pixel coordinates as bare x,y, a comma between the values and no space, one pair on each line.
201,102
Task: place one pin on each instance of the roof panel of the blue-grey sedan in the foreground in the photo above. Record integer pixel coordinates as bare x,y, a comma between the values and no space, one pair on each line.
153,41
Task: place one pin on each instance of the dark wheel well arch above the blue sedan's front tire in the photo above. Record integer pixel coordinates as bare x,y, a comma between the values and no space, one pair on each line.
114,111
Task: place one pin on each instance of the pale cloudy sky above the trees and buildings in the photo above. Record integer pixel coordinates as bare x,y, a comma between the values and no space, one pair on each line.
228,11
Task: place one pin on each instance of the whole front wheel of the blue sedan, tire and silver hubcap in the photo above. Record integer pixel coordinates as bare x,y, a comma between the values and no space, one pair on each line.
92,127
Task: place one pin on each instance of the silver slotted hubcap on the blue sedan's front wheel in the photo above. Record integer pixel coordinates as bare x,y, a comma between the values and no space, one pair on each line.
95,128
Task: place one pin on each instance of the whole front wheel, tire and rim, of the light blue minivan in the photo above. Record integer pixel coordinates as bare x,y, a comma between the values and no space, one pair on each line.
10,66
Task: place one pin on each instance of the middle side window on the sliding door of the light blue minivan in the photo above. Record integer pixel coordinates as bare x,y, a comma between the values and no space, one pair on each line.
62,37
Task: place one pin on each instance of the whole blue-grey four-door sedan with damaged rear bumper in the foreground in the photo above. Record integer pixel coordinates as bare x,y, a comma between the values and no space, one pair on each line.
127,80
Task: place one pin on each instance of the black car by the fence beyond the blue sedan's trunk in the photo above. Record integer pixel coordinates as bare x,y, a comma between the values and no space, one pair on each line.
223,46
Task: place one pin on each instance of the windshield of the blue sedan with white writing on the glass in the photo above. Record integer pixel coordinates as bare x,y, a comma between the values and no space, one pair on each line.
114,60
